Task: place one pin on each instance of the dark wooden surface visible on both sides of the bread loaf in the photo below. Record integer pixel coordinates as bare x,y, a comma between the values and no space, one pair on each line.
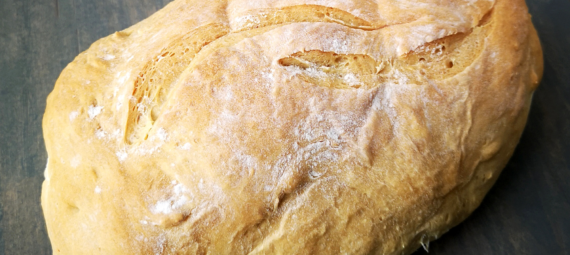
526,212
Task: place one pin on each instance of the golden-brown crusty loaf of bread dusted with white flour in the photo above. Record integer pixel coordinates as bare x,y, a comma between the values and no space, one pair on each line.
286,126
